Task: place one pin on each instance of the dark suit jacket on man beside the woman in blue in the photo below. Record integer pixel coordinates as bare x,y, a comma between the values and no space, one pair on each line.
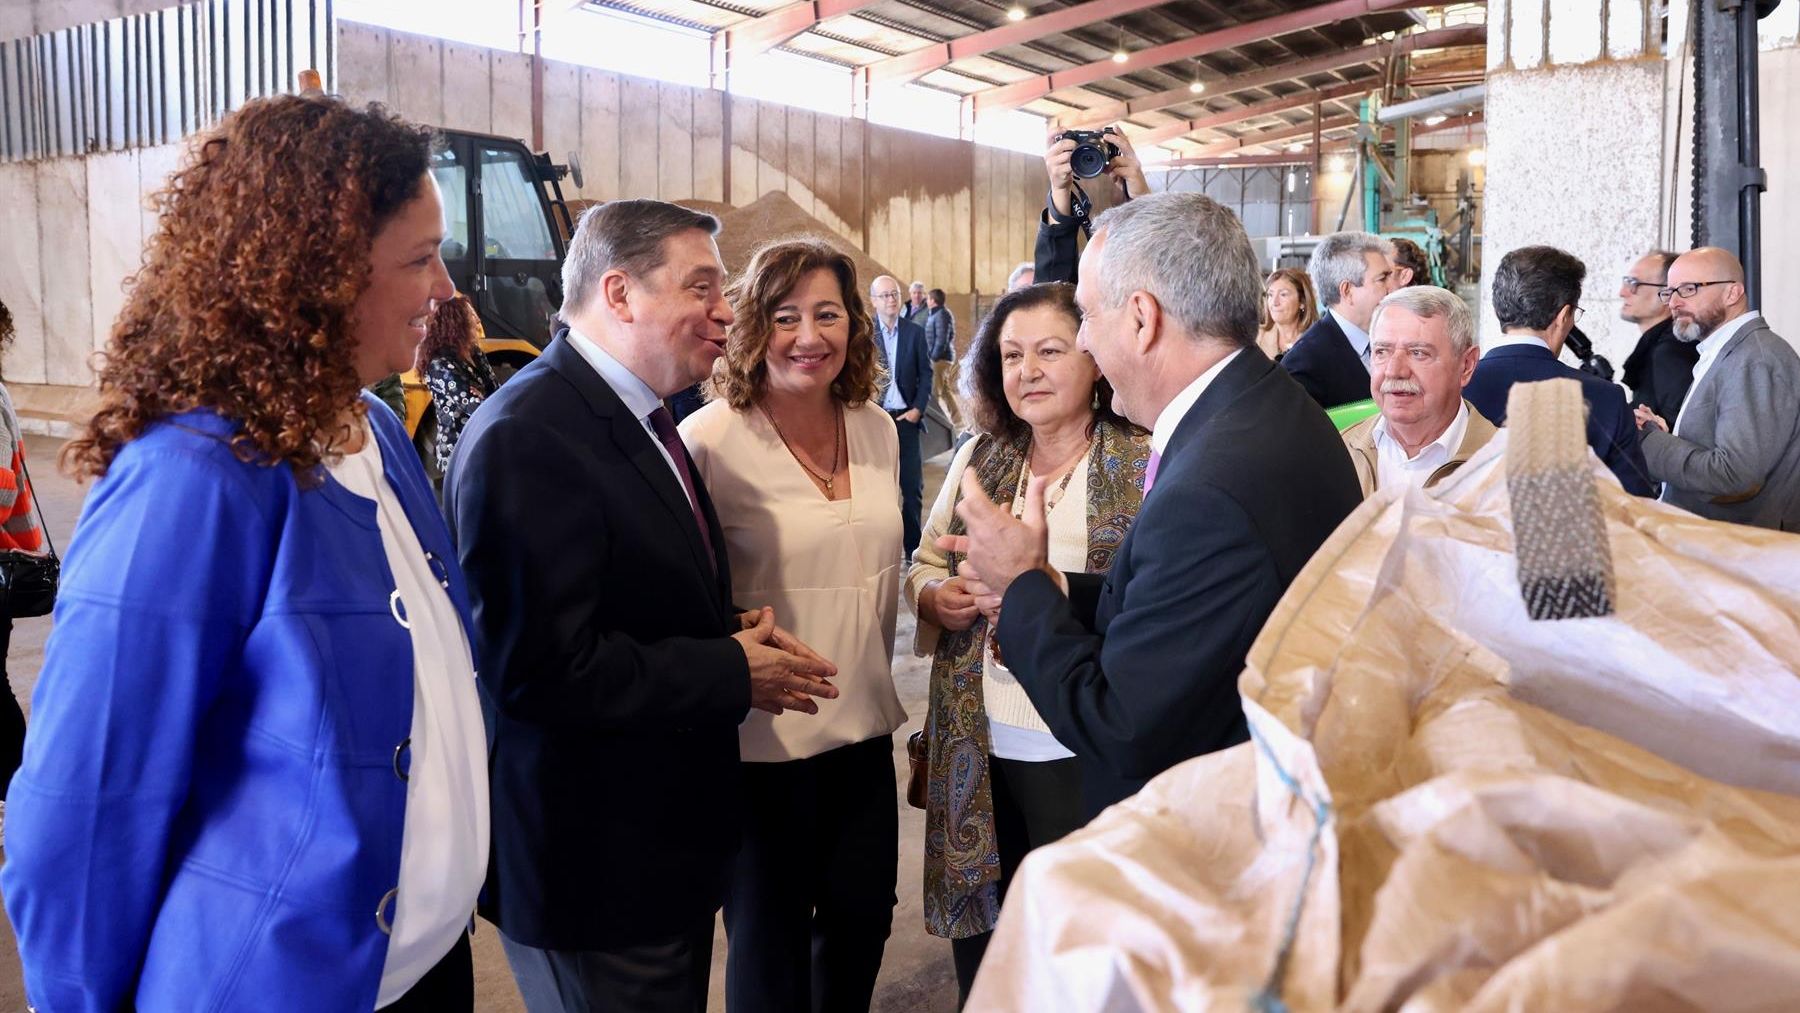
613,685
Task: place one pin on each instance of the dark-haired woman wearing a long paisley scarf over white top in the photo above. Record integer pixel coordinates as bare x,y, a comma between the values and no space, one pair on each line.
1000,784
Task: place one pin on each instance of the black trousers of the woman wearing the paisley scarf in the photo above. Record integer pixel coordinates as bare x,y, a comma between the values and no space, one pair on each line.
1034,805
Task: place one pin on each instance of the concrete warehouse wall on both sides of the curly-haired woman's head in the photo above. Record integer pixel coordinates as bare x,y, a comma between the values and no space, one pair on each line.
937,210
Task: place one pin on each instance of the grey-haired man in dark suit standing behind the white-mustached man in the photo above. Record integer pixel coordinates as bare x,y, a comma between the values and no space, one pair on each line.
1353,273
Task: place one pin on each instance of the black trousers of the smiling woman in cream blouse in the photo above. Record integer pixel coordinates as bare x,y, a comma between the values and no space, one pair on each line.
813,892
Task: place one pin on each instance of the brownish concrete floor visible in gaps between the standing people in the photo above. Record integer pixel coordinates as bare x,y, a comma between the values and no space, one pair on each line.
917,973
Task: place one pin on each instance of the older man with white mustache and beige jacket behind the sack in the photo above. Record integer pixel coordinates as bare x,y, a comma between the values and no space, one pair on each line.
1423,355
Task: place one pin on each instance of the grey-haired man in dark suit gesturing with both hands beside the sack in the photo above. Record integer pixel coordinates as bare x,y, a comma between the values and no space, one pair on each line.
1137,670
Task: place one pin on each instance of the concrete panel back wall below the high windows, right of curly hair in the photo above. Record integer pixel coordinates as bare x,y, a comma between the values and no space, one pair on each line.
946,211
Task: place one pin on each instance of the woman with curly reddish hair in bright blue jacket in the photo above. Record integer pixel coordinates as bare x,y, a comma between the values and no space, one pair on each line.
256,775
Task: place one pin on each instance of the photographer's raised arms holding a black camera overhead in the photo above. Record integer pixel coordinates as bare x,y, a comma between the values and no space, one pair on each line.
1079,156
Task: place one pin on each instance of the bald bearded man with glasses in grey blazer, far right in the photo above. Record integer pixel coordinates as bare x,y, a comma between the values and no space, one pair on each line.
1736,447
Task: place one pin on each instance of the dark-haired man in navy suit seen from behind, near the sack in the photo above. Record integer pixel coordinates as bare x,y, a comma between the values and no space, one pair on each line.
1536,298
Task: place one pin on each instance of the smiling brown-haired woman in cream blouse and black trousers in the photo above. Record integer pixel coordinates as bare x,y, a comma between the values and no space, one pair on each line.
804,469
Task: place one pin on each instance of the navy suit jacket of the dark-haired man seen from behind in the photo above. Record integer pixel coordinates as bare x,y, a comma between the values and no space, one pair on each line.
1612,431
